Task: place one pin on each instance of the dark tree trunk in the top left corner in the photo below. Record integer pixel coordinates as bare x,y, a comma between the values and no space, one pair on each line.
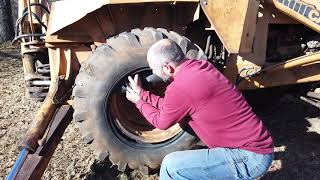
6,25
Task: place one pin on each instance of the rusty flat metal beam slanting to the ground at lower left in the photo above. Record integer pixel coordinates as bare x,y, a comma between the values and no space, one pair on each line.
35,164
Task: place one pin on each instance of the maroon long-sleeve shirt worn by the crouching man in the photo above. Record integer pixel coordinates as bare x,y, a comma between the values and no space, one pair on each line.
220,115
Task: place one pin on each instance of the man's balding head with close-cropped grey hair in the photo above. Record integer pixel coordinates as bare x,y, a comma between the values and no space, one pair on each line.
164,58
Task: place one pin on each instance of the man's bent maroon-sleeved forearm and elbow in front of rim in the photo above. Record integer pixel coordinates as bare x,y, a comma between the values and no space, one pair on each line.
174,106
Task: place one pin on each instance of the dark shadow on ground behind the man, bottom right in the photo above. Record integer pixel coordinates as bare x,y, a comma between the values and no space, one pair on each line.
295,128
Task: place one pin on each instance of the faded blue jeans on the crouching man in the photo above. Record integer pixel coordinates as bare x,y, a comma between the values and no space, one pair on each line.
215,163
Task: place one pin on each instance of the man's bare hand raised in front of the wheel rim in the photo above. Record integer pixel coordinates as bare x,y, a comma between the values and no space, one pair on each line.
134,88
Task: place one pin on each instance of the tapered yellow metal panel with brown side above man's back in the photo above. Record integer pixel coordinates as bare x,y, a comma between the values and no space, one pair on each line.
234,21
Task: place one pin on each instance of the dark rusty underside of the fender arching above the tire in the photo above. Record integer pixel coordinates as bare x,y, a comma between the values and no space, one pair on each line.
114,19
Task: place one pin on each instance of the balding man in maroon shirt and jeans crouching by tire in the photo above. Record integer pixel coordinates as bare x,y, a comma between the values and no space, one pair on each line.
239,146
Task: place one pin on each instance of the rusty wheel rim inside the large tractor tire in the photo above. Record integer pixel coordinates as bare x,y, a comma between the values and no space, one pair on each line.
130,121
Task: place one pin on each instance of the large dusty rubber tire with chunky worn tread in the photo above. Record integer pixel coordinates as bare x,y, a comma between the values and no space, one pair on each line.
105,67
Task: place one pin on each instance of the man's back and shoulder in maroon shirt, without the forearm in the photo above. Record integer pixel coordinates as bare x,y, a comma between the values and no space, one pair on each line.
220,115
